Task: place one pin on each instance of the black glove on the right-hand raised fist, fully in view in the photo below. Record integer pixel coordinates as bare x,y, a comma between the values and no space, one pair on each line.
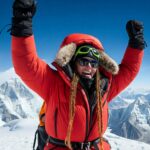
136,36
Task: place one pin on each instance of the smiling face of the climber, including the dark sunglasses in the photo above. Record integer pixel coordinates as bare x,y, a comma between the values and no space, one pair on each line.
86,67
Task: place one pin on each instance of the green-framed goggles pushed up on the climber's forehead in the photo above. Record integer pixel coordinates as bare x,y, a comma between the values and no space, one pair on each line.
83,50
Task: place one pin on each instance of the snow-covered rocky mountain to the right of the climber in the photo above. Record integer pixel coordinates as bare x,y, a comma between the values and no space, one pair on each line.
132,116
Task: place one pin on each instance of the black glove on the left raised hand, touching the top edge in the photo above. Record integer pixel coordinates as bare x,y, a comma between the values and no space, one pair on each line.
23,11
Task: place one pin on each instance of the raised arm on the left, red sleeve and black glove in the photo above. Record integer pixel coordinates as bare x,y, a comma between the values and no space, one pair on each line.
33,71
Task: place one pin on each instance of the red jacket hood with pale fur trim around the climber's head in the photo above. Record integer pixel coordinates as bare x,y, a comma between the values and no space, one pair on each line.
70,43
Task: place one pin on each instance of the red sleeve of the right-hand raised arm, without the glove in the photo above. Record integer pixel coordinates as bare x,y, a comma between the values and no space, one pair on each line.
129,68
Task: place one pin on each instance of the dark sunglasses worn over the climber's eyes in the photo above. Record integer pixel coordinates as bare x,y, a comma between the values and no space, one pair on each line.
85,62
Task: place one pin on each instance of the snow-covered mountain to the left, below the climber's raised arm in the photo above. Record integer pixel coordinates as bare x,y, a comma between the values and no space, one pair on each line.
16,100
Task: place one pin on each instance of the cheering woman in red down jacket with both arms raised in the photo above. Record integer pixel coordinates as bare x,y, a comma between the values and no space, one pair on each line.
86,79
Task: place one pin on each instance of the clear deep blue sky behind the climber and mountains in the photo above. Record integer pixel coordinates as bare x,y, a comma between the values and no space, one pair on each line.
105,19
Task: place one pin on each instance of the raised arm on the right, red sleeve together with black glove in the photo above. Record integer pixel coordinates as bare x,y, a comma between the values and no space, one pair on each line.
132,59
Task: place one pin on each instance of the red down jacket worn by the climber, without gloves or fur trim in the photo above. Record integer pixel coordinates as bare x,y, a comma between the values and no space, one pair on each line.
54,87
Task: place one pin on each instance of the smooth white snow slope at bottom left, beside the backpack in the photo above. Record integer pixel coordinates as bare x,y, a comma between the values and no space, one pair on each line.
18,134
